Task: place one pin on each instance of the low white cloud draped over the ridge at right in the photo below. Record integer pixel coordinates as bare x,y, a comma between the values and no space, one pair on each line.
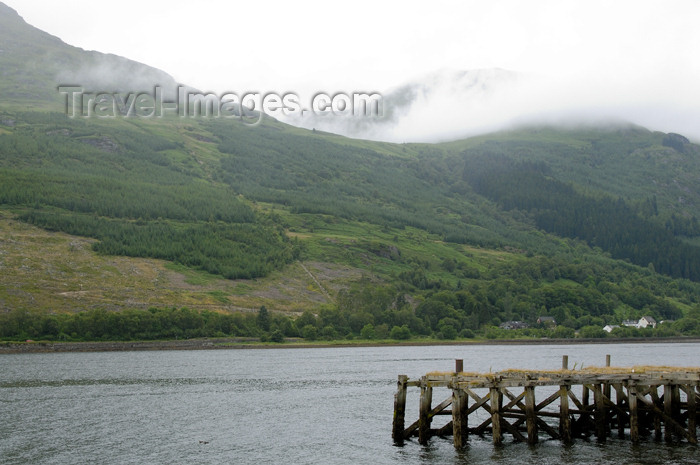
450,104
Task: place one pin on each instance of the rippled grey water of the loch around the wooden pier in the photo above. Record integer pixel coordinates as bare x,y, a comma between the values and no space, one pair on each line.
300,406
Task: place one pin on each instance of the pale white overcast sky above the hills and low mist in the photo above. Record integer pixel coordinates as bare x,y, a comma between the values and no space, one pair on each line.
641,55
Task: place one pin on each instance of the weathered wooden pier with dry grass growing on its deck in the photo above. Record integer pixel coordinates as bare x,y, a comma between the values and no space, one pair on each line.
636,402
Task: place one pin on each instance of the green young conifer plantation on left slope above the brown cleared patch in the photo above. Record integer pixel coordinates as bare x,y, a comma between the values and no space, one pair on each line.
125,191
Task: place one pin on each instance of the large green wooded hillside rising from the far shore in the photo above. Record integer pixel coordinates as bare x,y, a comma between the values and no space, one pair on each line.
588,225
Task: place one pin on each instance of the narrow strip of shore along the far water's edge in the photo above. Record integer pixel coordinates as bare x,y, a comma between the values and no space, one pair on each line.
238,344
